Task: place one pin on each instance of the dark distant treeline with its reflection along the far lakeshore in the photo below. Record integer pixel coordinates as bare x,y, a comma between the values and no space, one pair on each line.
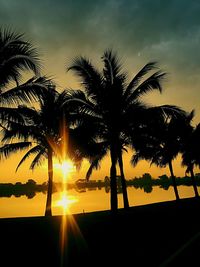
145,183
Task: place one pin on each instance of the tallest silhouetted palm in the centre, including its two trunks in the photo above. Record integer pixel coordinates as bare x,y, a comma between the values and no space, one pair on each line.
115,106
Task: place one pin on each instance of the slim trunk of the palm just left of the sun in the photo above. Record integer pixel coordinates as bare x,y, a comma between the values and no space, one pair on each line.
48,211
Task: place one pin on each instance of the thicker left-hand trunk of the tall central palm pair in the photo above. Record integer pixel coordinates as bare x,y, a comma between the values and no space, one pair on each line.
113,180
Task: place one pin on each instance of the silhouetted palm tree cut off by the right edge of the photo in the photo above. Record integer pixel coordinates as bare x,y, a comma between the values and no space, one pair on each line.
190,149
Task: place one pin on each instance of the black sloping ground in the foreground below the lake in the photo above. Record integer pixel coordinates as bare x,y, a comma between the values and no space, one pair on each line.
162,234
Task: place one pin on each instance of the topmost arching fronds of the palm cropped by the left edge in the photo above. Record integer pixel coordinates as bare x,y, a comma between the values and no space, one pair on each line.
16,55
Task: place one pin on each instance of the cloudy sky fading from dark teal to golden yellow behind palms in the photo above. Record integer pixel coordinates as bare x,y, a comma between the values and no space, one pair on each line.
138,30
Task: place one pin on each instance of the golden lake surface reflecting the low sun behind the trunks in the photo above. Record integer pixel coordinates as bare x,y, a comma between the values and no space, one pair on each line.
89,200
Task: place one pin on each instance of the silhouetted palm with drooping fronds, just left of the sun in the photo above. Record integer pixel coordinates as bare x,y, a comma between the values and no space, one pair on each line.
41,132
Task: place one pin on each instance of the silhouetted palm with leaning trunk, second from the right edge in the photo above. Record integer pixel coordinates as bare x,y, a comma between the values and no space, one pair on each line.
161,144
